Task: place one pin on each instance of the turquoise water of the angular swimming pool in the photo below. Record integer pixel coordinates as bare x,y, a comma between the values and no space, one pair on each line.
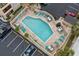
38,27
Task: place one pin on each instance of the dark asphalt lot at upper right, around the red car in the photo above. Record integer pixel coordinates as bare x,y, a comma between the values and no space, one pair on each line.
59,9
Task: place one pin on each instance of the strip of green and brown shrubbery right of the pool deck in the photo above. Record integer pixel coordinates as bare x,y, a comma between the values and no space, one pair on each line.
74,33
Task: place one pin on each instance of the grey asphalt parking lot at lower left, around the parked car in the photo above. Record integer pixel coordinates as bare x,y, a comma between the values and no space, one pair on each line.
14,44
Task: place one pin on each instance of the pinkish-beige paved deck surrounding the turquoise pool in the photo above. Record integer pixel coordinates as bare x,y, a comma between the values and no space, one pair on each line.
52,25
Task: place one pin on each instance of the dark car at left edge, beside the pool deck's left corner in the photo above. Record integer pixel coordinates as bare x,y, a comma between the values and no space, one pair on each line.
4,28
